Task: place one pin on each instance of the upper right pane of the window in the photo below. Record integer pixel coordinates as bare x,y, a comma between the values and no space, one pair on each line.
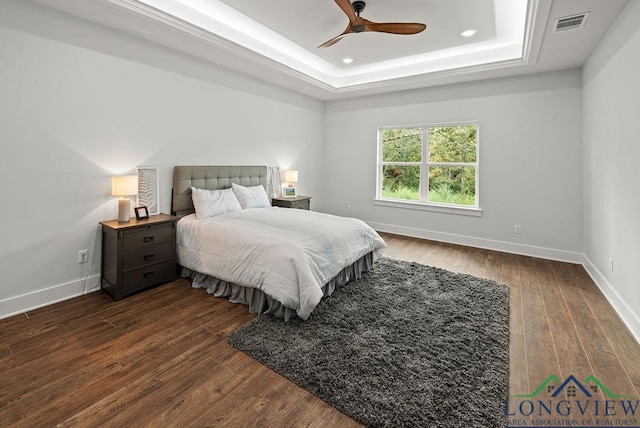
453,143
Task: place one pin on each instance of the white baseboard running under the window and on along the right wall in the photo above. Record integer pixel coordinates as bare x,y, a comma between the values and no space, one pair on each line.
630,319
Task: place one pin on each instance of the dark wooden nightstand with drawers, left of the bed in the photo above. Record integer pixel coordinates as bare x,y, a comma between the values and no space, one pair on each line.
138,254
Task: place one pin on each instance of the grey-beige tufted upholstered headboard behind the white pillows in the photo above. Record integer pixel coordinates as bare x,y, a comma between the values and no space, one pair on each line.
210,178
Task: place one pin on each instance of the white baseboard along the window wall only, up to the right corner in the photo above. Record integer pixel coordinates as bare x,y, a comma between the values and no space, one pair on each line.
488,244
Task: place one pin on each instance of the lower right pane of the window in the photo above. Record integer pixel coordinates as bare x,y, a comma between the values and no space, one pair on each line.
452,185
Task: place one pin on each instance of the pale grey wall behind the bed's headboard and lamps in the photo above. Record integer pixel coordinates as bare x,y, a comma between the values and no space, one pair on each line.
73,113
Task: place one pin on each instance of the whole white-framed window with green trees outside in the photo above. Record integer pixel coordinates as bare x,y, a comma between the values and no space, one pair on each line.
430,165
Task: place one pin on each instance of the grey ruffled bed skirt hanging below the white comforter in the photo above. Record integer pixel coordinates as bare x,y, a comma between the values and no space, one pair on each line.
261,303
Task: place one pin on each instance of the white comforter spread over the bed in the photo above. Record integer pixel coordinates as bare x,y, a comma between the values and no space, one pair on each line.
289,254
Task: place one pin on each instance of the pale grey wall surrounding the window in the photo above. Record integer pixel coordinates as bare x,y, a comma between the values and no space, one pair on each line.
530,161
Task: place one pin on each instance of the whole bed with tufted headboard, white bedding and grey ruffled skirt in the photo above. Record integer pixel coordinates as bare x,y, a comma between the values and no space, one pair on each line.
276,261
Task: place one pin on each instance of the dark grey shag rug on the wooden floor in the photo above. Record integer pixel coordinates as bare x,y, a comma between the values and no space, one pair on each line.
405,345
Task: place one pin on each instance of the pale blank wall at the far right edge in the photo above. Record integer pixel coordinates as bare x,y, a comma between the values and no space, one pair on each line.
611,173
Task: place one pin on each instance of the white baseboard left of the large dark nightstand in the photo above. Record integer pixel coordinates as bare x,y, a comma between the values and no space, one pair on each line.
37,299
